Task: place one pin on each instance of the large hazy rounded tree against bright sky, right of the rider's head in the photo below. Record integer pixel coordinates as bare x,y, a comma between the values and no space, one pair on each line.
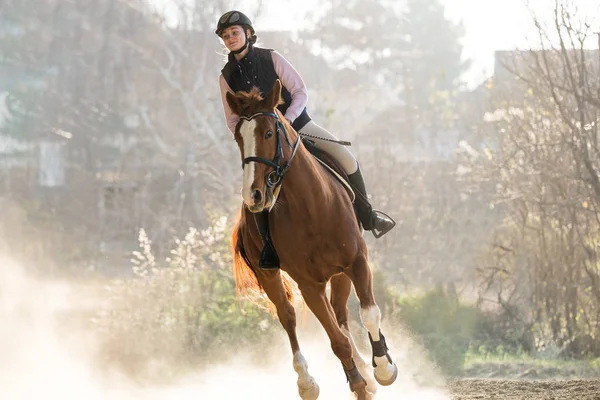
409,48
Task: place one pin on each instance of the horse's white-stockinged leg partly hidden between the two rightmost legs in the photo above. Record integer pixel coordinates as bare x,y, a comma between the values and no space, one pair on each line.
341,286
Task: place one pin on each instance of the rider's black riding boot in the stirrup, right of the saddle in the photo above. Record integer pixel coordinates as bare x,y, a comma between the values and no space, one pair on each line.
371,220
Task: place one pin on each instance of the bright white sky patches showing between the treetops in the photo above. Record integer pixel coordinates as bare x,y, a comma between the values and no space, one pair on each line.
490,25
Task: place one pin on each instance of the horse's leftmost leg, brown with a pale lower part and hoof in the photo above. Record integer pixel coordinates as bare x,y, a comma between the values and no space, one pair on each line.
271,282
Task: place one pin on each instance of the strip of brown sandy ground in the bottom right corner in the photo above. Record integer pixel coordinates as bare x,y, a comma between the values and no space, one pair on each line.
519,389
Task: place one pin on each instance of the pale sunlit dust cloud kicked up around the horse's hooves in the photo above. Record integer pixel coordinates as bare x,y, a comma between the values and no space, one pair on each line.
44,355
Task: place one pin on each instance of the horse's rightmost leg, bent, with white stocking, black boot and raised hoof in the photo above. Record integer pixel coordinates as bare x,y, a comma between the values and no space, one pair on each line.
386,371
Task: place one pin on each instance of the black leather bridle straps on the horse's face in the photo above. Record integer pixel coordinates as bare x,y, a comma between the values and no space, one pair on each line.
273,178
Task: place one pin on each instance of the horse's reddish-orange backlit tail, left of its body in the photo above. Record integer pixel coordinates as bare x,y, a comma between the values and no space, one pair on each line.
246,282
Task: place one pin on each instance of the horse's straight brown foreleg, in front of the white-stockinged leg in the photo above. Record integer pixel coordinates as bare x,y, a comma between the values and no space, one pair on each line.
316,299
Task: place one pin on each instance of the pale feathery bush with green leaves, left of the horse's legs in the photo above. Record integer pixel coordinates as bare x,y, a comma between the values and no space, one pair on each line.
182,313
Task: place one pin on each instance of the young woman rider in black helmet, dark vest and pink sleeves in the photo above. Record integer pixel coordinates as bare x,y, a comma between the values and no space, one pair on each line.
249,66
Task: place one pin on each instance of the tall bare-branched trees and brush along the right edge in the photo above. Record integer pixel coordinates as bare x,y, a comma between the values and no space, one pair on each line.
544,265
